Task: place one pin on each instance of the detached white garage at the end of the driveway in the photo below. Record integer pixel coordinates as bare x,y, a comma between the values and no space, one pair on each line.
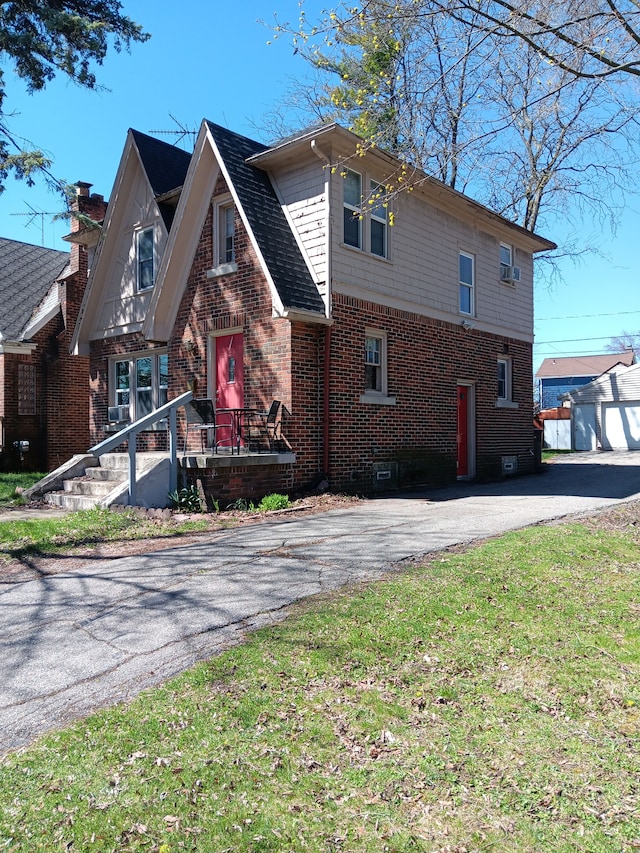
605,413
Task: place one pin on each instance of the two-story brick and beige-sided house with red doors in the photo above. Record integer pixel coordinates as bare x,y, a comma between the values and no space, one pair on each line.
400,346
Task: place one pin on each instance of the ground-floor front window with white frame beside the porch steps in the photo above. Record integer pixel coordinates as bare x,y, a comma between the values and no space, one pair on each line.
140,382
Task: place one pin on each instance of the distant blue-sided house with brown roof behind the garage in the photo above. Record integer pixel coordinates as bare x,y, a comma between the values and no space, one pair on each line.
558,376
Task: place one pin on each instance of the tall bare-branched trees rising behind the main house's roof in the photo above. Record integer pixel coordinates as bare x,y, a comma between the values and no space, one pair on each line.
486,113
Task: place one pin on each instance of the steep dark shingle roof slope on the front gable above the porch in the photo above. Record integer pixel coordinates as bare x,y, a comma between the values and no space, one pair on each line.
283,257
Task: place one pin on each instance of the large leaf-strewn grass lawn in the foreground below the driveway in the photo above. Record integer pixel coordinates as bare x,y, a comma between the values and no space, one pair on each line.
488,701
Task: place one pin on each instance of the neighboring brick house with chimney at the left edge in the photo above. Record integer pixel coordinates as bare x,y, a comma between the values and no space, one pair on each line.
43,389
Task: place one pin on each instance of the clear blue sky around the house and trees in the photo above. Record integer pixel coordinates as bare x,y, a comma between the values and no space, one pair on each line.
213,60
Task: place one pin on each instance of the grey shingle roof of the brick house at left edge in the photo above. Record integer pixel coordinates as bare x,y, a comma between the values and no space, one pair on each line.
26,274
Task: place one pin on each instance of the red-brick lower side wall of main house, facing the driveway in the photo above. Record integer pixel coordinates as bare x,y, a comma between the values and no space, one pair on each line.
426,361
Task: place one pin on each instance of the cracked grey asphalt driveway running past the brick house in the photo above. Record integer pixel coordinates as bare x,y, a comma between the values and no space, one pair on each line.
73,642
